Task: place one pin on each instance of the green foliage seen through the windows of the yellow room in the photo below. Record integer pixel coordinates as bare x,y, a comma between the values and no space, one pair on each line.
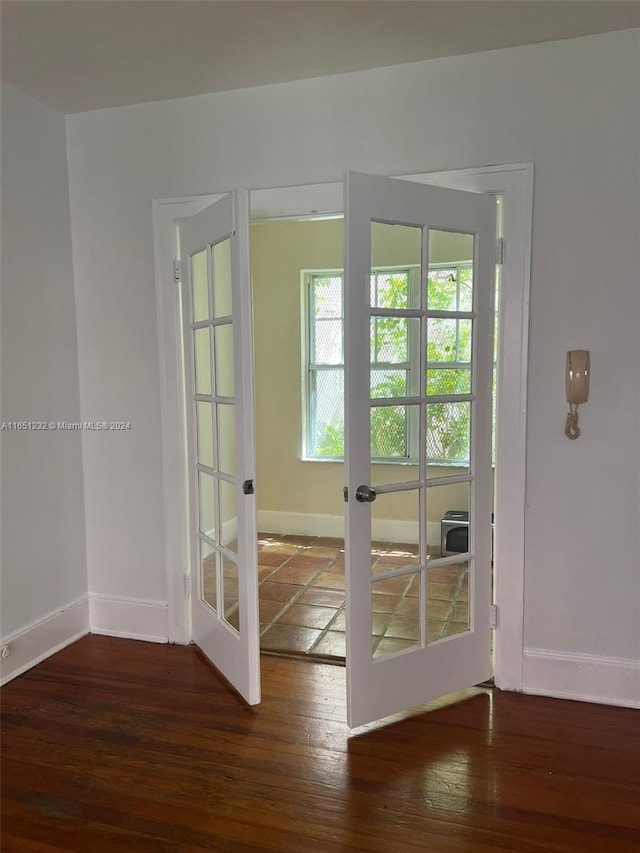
448,354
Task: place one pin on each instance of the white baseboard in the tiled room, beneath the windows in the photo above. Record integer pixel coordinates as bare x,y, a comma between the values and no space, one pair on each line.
309,524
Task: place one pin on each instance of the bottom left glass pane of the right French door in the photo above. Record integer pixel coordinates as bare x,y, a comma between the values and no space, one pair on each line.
398,629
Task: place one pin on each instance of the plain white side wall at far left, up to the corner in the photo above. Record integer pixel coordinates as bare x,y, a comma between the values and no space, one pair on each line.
43,541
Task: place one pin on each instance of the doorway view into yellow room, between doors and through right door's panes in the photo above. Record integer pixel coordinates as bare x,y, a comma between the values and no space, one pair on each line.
298,310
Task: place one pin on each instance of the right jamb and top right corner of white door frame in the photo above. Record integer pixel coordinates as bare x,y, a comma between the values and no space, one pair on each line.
515,184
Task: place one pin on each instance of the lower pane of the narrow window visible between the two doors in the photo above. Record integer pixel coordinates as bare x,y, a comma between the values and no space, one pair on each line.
327,413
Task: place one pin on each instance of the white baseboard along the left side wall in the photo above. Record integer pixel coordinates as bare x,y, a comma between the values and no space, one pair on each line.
38,641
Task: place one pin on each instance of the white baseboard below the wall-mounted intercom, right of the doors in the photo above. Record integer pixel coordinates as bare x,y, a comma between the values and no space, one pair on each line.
586,678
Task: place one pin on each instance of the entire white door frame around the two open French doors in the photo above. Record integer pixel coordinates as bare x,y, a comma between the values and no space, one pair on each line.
514,183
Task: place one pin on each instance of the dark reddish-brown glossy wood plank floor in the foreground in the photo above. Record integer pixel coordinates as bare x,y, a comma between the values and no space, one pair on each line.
118,745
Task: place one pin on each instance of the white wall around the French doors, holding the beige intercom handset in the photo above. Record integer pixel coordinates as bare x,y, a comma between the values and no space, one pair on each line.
571,107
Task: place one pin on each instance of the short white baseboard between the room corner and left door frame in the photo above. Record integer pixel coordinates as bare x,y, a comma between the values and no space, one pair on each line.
135,618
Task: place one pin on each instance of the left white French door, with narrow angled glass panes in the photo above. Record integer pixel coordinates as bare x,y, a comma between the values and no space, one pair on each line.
220,436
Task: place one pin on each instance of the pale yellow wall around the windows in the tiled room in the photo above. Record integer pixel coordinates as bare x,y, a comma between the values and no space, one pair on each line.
279,251
